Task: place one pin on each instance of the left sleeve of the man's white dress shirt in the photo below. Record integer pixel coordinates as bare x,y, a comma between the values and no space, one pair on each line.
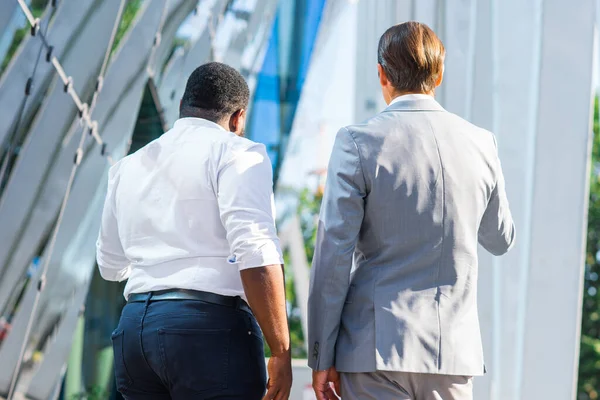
111,259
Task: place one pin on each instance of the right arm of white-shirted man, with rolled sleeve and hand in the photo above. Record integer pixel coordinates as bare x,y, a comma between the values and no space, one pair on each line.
245,196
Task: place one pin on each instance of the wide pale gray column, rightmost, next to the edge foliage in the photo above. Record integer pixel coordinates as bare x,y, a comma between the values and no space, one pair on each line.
560,193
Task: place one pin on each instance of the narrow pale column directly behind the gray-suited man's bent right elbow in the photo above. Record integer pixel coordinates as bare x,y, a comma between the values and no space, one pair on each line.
515,87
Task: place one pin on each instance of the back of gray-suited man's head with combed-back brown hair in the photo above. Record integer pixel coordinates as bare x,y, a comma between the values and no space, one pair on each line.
412,57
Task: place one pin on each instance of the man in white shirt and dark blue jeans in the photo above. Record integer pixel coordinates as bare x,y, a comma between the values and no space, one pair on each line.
189,222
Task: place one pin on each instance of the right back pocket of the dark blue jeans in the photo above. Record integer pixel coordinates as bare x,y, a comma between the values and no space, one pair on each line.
196,359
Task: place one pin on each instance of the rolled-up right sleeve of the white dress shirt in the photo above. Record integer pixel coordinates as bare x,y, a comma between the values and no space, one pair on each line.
247,208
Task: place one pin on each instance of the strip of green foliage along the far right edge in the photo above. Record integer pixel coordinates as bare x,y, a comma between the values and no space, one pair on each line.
589,358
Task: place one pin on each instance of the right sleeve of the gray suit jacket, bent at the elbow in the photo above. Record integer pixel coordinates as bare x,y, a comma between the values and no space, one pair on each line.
497,229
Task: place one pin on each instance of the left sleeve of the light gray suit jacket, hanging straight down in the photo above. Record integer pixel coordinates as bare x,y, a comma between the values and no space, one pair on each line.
340,220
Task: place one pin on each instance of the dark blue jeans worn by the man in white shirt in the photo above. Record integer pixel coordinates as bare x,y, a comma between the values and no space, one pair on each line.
187,349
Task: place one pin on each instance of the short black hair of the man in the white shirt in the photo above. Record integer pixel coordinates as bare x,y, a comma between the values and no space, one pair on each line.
215,91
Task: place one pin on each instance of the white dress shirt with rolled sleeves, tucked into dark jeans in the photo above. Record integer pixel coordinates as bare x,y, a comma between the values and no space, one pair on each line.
189,211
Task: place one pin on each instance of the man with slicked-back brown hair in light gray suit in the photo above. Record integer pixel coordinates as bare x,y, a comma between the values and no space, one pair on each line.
410,193
